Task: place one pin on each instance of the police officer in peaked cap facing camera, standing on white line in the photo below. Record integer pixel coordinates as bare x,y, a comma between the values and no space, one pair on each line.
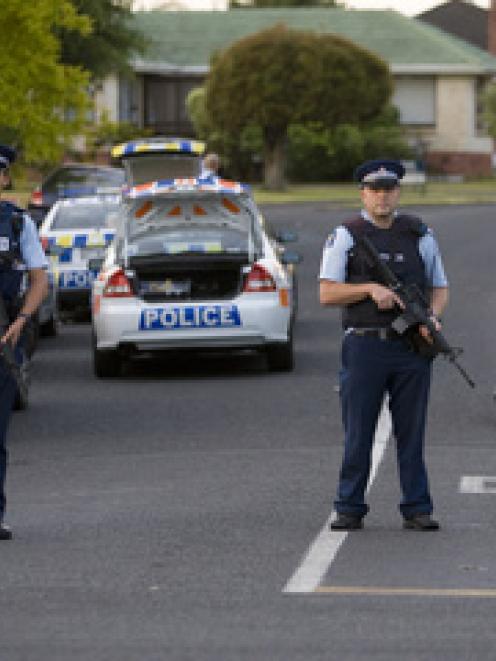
375,360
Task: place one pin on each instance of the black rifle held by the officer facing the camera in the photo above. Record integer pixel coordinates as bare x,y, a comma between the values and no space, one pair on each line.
414,314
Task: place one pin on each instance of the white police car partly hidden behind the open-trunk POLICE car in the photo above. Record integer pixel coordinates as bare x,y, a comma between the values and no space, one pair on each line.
74,232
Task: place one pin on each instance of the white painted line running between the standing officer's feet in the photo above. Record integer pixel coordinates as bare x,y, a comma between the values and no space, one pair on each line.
324,548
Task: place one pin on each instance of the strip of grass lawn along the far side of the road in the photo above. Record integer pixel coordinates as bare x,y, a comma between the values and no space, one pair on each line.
435,192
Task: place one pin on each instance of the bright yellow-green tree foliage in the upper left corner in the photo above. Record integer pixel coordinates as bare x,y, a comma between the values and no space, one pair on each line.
43,102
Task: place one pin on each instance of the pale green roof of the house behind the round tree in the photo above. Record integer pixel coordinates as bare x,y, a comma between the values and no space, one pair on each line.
187,39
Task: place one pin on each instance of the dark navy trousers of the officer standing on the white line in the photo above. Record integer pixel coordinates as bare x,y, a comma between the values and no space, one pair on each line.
372,368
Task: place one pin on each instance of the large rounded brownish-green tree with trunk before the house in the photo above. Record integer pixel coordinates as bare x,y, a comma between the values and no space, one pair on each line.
280,76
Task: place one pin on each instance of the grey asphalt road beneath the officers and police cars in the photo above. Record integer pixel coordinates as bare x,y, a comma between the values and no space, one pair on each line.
161,515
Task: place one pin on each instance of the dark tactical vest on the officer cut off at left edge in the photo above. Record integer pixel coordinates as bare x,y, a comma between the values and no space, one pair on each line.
11,224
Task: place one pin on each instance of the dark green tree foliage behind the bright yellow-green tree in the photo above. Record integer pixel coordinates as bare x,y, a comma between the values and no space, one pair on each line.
109,45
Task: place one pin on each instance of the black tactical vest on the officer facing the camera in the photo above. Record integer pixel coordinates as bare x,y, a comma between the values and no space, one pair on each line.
398,247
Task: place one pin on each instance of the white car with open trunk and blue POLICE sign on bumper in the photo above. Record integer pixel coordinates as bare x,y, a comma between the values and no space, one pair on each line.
191,268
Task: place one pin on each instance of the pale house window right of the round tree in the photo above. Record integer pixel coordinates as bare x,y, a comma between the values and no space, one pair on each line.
415,99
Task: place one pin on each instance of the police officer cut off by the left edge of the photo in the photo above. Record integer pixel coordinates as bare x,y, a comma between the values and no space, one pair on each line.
20,249
